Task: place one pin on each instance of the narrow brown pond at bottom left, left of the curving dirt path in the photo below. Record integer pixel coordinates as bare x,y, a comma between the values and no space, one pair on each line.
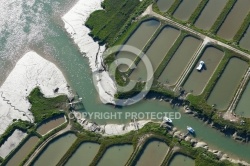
20,155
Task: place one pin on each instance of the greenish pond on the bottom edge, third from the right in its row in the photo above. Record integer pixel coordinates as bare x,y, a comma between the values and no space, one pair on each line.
116,155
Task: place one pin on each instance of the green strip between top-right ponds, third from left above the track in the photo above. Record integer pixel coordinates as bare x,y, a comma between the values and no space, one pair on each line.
223,16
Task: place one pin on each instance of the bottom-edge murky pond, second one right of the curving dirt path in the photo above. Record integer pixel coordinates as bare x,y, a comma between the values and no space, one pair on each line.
84,154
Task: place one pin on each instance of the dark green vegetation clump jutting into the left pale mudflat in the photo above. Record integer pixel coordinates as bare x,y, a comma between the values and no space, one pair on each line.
43,108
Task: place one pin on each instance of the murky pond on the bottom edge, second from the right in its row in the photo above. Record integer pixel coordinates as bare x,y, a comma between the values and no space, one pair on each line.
153,154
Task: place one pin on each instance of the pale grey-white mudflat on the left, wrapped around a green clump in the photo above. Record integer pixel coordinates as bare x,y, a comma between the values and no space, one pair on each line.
30,71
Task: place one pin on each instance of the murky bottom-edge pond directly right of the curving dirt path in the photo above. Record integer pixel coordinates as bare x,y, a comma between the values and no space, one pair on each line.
55,150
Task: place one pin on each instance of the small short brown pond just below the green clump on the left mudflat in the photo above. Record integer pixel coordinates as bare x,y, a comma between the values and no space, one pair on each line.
49,125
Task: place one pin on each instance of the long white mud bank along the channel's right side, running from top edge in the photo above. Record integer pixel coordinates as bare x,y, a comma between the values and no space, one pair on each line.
75,25
